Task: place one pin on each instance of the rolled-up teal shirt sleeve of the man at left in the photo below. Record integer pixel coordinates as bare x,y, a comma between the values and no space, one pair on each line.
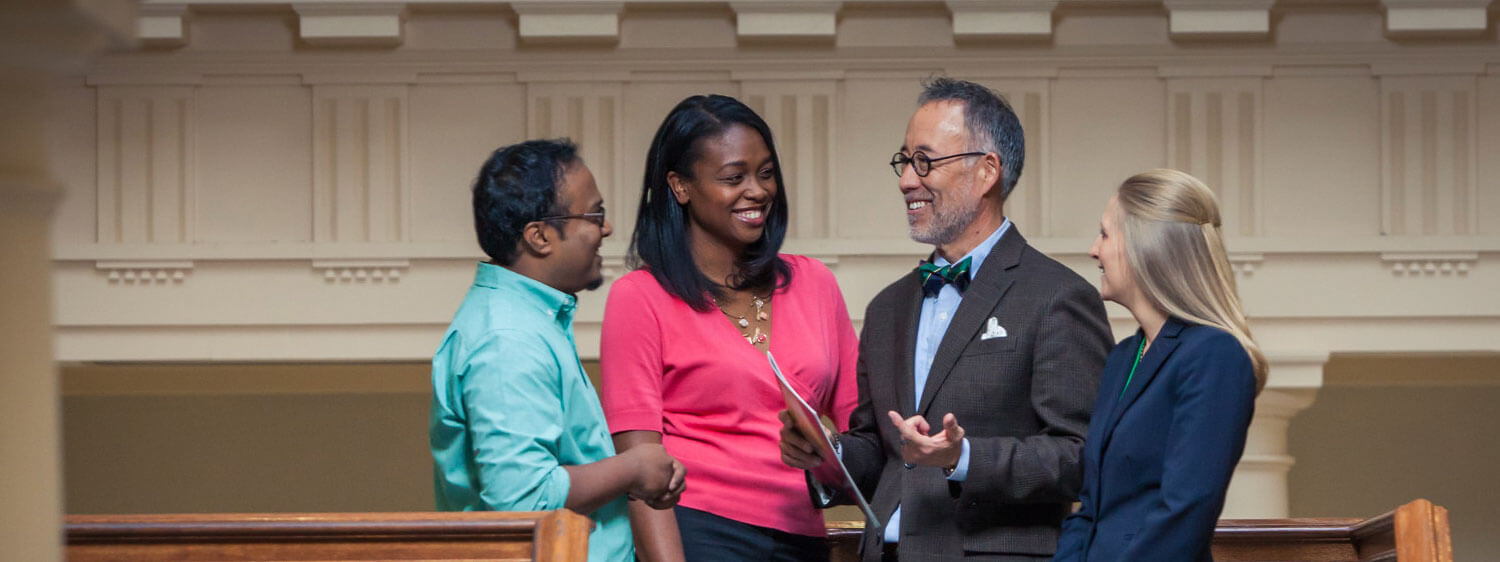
512,399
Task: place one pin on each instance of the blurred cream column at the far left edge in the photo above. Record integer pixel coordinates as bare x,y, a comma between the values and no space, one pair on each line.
40,43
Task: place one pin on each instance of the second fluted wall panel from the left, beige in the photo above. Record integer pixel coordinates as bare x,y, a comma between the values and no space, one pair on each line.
361,169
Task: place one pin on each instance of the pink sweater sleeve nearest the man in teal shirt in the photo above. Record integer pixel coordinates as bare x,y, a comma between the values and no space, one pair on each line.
631,359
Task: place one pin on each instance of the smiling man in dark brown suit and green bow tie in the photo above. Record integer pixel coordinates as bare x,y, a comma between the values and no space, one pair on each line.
979,369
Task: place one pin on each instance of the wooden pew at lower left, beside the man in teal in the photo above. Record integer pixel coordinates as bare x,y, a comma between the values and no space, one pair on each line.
542,536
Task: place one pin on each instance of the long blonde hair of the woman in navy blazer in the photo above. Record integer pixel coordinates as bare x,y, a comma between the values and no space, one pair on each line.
1171,224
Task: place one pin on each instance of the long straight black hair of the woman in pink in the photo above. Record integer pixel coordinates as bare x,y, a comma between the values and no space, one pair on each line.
659,242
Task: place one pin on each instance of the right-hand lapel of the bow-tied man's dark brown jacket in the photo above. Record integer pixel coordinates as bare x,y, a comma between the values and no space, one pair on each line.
979,303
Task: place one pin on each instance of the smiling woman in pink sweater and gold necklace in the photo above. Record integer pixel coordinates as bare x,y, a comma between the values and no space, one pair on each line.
686,335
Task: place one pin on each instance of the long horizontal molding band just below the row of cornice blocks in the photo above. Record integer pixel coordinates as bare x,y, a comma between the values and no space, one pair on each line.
1370,59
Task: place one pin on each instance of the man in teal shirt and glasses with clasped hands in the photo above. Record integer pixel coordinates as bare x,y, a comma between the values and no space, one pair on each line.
515,423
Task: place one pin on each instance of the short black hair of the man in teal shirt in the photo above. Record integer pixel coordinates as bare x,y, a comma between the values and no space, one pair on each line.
518,185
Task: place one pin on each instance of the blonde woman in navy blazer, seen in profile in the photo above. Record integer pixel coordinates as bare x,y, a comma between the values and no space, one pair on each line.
1177,398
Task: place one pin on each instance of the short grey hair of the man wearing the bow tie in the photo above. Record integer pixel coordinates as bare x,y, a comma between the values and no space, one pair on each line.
992,124
